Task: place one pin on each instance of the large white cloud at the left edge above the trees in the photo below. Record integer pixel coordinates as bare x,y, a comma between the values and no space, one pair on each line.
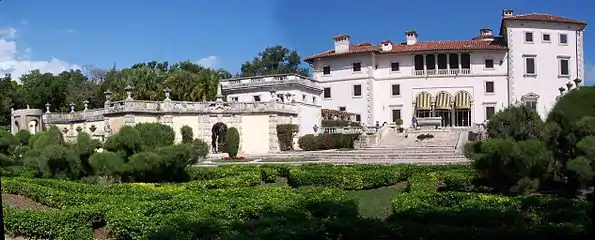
18,62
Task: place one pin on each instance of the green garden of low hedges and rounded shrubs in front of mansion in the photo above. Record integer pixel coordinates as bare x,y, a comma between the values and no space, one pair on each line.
530,179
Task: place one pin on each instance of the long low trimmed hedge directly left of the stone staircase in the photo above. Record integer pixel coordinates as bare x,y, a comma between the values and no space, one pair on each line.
311,142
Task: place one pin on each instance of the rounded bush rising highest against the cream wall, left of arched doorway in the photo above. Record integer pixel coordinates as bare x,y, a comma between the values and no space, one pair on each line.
155,134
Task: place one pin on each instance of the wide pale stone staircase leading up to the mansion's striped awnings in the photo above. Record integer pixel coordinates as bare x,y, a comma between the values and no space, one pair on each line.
402,148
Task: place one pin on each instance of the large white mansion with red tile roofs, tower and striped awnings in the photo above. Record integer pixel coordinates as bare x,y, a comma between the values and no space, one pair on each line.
534,59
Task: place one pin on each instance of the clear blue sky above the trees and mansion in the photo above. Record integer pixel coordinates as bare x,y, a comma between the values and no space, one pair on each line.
225,33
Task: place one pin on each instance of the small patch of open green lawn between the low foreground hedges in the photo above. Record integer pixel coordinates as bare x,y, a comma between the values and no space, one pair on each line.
376,203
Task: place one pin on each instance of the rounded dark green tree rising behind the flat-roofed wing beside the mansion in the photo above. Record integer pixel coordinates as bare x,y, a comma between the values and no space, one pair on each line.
274,60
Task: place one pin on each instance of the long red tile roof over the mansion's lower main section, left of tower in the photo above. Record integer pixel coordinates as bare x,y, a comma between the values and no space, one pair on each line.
457,45
